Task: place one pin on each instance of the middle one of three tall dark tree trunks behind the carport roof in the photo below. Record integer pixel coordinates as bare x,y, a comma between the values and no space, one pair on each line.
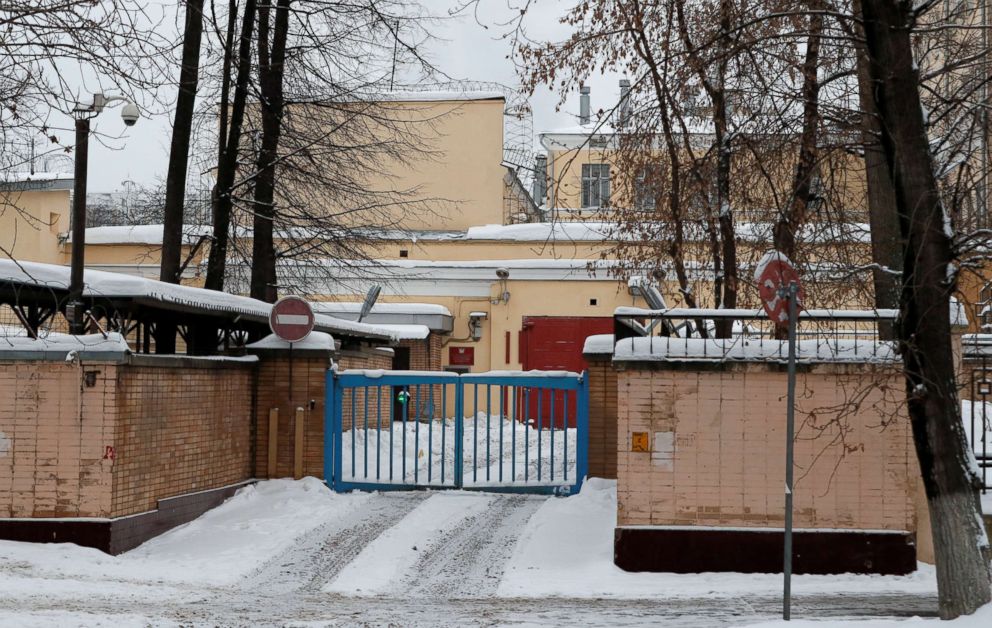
223,200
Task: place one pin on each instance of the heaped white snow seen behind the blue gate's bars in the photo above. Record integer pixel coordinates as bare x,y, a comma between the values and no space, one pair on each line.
495,451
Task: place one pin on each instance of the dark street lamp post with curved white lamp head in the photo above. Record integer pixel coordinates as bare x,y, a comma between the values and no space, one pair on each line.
83,113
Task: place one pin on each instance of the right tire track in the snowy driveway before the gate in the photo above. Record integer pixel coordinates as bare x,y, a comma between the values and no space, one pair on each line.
470,560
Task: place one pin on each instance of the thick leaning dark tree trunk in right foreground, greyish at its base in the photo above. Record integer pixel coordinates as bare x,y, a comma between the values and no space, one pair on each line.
960,543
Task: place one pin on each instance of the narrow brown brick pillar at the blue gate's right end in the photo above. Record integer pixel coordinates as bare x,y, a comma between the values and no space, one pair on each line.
602,416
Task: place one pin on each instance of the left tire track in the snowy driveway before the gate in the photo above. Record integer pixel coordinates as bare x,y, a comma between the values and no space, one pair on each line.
320,555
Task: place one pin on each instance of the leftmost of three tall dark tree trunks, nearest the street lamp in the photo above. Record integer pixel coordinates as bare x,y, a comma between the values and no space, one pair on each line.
175,180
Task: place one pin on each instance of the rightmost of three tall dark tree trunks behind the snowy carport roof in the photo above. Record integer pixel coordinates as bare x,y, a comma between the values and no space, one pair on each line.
270,69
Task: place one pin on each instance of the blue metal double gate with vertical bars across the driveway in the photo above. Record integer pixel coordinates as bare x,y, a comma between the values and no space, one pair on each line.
501,431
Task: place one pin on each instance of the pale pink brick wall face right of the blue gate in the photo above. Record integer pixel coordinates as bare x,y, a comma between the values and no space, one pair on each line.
716,447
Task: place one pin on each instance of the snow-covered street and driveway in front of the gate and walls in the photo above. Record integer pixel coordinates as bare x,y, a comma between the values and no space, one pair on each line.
292,553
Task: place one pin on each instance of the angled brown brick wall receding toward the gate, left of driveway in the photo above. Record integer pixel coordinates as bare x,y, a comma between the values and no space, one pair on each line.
180,428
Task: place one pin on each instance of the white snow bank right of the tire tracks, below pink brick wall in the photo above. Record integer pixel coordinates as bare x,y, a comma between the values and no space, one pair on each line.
566,550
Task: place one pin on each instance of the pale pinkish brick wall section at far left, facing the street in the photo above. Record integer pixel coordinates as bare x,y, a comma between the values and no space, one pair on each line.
53,433
